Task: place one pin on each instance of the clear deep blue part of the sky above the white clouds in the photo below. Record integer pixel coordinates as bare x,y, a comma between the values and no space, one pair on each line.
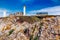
31,5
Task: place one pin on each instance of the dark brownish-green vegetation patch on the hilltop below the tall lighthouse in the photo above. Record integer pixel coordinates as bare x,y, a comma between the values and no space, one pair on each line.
29,19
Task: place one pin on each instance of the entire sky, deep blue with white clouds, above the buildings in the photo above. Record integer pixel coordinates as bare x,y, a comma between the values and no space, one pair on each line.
32,6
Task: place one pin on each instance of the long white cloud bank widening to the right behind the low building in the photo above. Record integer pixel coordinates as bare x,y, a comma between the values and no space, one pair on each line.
51,10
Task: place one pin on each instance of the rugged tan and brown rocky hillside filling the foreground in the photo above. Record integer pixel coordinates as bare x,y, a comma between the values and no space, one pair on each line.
30,28
